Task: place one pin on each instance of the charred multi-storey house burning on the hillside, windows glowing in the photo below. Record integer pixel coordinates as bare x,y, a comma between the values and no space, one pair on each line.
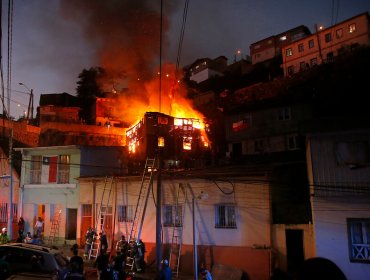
182,142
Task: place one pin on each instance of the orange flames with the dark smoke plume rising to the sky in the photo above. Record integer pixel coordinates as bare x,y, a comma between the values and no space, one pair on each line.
125,36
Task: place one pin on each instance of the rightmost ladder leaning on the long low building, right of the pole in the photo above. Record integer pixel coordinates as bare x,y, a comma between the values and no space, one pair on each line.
176,243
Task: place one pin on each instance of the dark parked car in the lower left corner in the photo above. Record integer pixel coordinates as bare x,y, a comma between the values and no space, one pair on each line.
30,258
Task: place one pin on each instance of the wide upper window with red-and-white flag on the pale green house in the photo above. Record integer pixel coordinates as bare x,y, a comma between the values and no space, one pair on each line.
50,169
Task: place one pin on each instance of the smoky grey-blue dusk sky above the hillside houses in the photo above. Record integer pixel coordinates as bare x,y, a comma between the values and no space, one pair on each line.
53,41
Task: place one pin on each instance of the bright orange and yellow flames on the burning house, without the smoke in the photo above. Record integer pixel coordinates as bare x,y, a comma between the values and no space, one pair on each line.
173,104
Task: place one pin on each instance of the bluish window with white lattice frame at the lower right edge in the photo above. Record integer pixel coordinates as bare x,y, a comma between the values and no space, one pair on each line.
359,240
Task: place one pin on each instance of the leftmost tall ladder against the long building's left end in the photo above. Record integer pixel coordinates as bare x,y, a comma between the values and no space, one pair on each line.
101,216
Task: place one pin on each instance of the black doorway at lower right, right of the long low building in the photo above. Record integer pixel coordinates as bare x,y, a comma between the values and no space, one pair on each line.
294,247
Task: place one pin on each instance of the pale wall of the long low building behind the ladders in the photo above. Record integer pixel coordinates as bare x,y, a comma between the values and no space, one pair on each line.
251,200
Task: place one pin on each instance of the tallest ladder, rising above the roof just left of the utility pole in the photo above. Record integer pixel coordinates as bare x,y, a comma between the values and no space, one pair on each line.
142,201
